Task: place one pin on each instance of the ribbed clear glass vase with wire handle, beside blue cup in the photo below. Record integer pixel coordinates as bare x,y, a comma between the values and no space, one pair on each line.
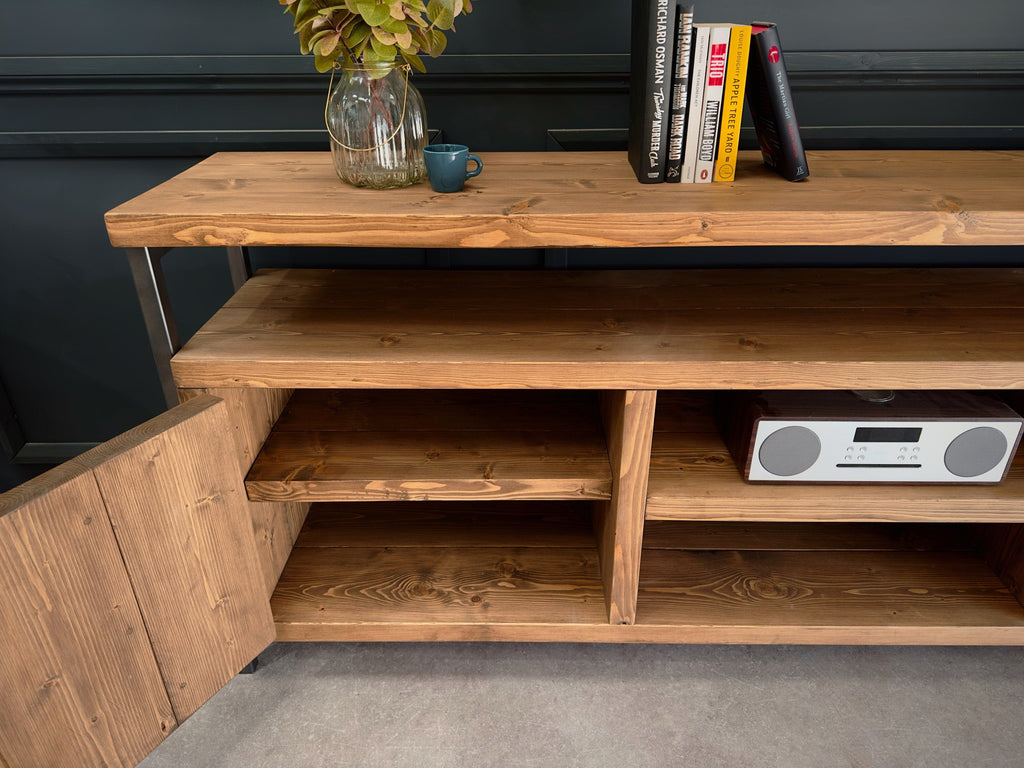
378,127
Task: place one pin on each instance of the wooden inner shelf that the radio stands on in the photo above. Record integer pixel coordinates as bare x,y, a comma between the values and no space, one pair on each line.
694,478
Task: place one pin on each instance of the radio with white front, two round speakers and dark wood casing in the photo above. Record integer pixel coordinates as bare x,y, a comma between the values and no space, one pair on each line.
871,438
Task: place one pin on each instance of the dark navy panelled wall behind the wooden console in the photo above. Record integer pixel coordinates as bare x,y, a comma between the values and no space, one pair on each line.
99,104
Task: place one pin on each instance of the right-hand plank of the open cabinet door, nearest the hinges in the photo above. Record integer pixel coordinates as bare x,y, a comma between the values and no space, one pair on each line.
175,495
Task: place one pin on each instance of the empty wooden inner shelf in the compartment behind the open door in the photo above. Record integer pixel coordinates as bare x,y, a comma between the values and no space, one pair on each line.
441,445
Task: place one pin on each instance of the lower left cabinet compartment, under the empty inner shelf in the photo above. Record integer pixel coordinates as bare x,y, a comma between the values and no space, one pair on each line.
439,571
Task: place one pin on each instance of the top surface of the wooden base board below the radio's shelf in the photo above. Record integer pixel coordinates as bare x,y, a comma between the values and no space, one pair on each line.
927,592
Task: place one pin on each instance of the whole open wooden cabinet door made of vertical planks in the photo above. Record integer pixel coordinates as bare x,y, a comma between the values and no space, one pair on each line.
132,592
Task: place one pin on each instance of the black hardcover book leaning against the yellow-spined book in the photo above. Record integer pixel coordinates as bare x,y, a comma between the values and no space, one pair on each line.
771,101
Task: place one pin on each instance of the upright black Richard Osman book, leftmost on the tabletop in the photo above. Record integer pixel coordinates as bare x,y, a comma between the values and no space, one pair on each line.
652,44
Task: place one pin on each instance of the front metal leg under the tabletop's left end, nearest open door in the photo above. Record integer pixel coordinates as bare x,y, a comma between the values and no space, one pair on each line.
152,290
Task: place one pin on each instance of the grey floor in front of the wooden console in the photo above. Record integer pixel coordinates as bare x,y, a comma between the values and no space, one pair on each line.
456,706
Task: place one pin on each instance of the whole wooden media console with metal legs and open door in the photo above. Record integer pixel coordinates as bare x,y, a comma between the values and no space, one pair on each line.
428,455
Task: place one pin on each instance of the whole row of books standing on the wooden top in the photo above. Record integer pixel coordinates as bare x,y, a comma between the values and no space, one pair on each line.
688,84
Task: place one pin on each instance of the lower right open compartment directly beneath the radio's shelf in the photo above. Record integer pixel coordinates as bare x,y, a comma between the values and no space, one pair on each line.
827,583
